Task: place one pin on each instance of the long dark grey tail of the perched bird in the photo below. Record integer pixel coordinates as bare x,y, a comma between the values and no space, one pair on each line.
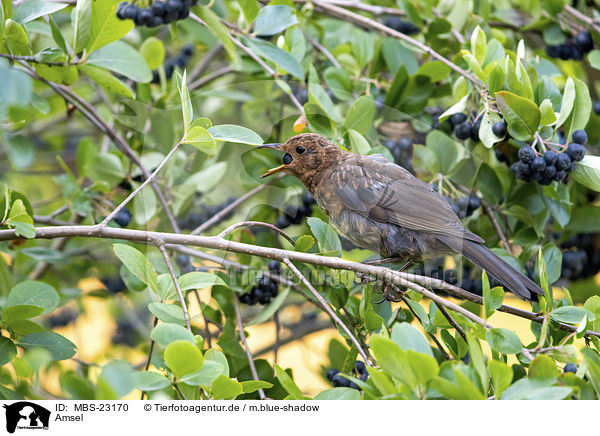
493,264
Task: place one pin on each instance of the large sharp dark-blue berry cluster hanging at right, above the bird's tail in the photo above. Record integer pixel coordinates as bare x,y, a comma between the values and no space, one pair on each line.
551,165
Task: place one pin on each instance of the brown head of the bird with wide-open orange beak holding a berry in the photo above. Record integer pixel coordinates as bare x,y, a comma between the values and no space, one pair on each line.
305,156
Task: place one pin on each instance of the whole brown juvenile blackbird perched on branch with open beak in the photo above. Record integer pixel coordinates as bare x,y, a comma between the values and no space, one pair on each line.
380,206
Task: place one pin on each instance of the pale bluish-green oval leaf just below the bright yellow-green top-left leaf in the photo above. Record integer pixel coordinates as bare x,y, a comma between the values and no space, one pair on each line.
122,59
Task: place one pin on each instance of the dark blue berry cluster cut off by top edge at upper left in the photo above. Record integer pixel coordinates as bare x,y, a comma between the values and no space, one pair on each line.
159,13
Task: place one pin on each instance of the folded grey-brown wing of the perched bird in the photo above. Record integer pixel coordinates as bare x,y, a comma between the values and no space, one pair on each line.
387,193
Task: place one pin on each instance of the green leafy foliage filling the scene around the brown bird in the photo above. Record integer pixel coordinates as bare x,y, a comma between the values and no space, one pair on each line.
88,99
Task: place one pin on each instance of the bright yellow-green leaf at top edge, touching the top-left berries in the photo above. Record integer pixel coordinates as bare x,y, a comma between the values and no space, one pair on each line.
106,27
